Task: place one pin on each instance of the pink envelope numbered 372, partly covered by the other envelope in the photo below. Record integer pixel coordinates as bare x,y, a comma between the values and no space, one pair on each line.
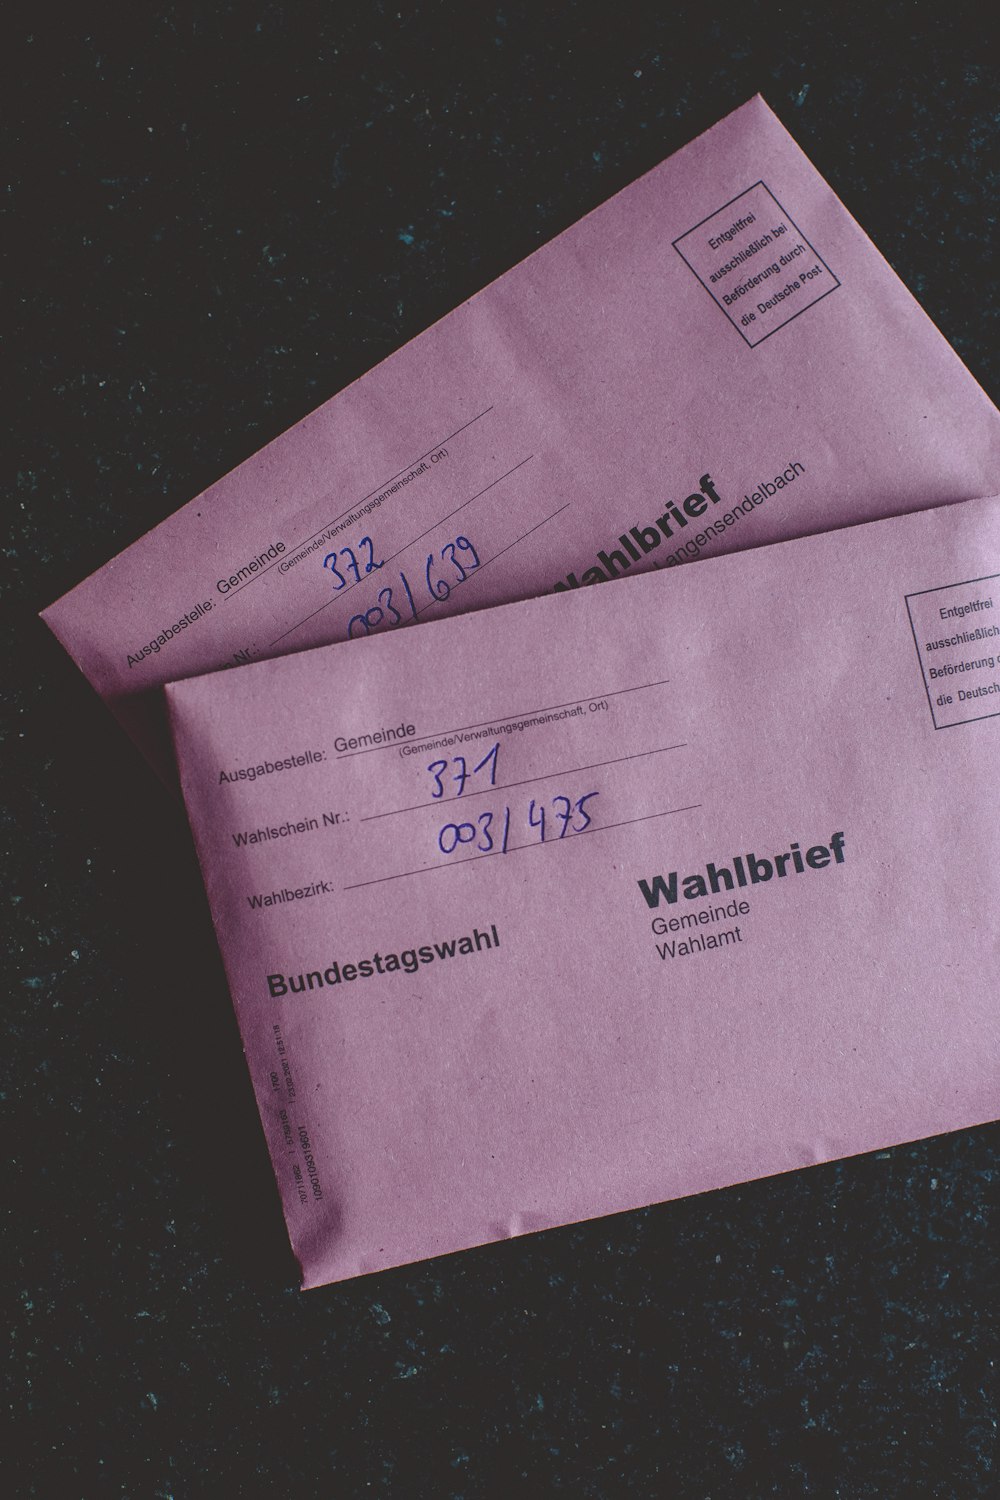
714,359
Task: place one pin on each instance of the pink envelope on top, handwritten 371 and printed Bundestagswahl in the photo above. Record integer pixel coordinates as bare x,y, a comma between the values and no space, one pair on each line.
617,896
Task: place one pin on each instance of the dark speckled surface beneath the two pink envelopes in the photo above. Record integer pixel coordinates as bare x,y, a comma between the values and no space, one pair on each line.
217,218
